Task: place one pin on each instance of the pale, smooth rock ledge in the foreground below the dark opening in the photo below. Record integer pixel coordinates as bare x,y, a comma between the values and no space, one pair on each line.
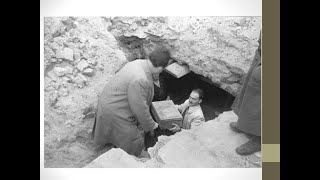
211,145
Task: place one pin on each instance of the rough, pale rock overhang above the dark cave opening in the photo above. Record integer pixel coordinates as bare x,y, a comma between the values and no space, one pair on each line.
219,48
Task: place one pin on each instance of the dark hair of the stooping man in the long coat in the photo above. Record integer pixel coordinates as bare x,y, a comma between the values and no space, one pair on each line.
160,56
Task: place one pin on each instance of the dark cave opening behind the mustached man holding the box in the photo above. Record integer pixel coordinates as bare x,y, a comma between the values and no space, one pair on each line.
216,100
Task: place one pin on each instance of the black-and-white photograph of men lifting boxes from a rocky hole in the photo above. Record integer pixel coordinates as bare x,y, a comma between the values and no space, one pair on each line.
152,91
